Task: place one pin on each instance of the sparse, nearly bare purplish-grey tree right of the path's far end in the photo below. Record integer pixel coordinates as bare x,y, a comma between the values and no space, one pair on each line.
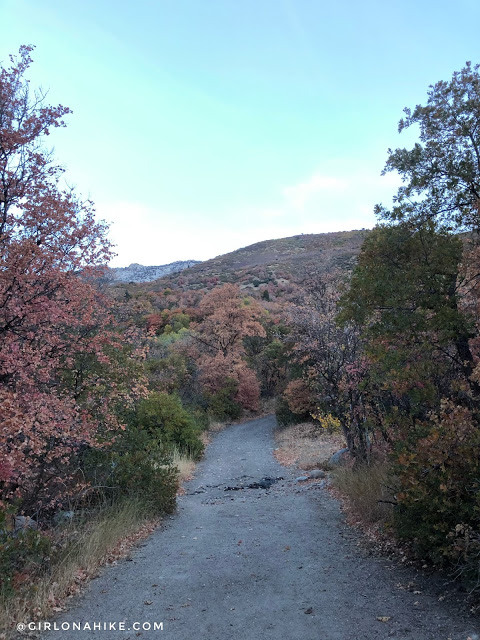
330,358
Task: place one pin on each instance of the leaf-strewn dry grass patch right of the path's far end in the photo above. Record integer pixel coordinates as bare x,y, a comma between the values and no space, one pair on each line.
305,446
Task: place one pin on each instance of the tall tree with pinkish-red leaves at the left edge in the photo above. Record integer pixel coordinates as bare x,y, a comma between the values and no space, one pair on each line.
57,344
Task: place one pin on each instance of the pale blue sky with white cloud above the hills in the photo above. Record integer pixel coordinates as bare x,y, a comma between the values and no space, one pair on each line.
201,126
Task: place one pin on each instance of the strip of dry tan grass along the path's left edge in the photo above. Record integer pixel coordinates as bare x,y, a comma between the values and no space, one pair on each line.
102,540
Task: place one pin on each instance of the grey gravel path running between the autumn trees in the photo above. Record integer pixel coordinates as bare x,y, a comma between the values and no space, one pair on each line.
254,563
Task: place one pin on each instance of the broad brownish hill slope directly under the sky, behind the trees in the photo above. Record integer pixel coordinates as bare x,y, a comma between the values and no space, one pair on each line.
279,261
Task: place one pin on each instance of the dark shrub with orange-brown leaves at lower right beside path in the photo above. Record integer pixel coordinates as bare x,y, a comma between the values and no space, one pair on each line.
439,474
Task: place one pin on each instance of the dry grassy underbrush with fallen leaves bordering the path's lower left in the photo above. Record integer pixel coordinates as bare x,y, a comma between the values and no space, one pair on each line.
75,551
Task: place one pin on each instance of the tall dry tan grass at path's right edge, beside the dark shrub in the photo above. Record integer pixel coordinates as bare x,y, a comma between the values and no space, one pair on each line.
366,492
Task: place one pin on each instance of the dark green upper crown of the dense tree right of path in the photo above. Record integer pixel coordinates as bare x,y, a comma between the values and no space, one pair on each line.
406,284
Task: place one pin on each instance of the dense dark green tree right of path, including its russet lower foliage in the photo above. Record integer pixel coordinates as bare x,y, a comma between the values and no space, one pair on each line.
404,293
